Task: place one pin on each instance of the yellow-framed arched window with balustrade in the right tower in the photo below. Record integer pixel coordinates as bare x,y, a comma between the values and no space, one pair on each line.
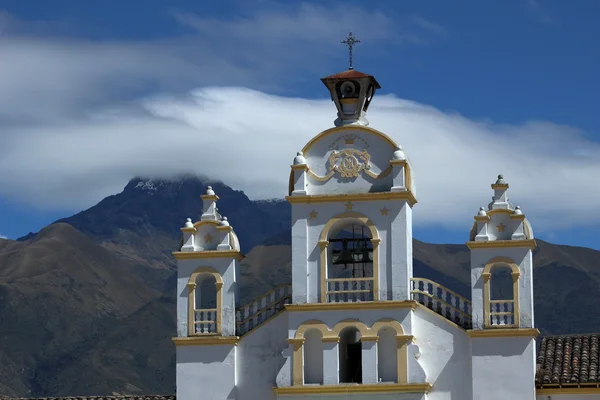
501,293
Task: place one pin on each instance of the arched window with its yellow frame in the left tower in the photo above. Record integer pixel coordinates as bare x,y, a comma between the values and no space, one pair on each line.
204,317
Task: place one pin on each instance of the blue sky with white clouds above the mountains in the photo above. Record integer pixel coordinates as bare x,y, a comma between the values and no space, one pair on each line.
94,93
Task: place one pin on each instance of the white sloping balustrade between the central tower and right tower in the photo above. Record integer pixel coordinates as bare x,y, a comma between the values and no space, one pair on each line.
443,301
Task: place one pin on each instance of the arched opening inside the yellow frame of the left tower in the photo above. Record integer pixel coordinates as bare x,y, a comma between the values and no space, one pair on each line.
205,304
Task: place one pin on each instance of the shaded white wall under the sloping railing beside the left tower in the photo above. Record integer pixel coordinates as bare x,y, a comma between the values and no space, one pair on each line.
260,359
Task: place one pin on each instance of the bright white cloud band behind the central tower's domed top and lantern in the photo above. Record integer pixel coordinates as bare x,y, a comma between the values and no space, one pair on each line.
248,139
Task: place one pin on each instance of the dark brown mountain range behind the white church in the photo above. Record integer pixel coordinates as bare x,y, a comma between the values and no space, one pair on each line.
94,292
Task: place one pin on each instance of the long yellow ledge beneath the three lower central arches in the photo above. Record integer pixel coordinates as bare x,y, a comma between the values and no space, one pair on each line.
354,388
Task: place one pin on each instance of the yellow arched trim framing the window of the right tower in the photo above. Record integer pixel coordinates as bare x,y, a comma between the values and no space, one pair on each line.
487,292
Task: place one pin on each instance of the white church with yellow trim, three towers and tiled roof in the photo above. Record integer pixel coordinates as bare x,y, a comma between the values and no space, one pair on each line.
355,323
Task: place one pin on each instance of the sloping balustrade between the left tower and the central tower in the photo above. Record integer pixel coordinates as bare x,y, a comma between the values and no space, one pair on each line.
262,308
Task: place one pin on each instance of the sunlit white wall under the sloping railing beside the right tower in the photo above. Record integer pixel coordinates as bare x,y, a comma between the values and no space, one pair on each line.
445,356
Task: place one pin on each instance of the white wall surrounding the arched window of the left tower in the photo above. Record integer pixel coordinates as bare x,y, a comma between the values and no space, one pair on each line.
226,267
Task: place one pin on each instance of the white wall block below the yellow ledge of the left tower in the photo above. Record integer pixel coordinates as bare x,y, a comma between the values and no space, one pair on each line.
205,372
